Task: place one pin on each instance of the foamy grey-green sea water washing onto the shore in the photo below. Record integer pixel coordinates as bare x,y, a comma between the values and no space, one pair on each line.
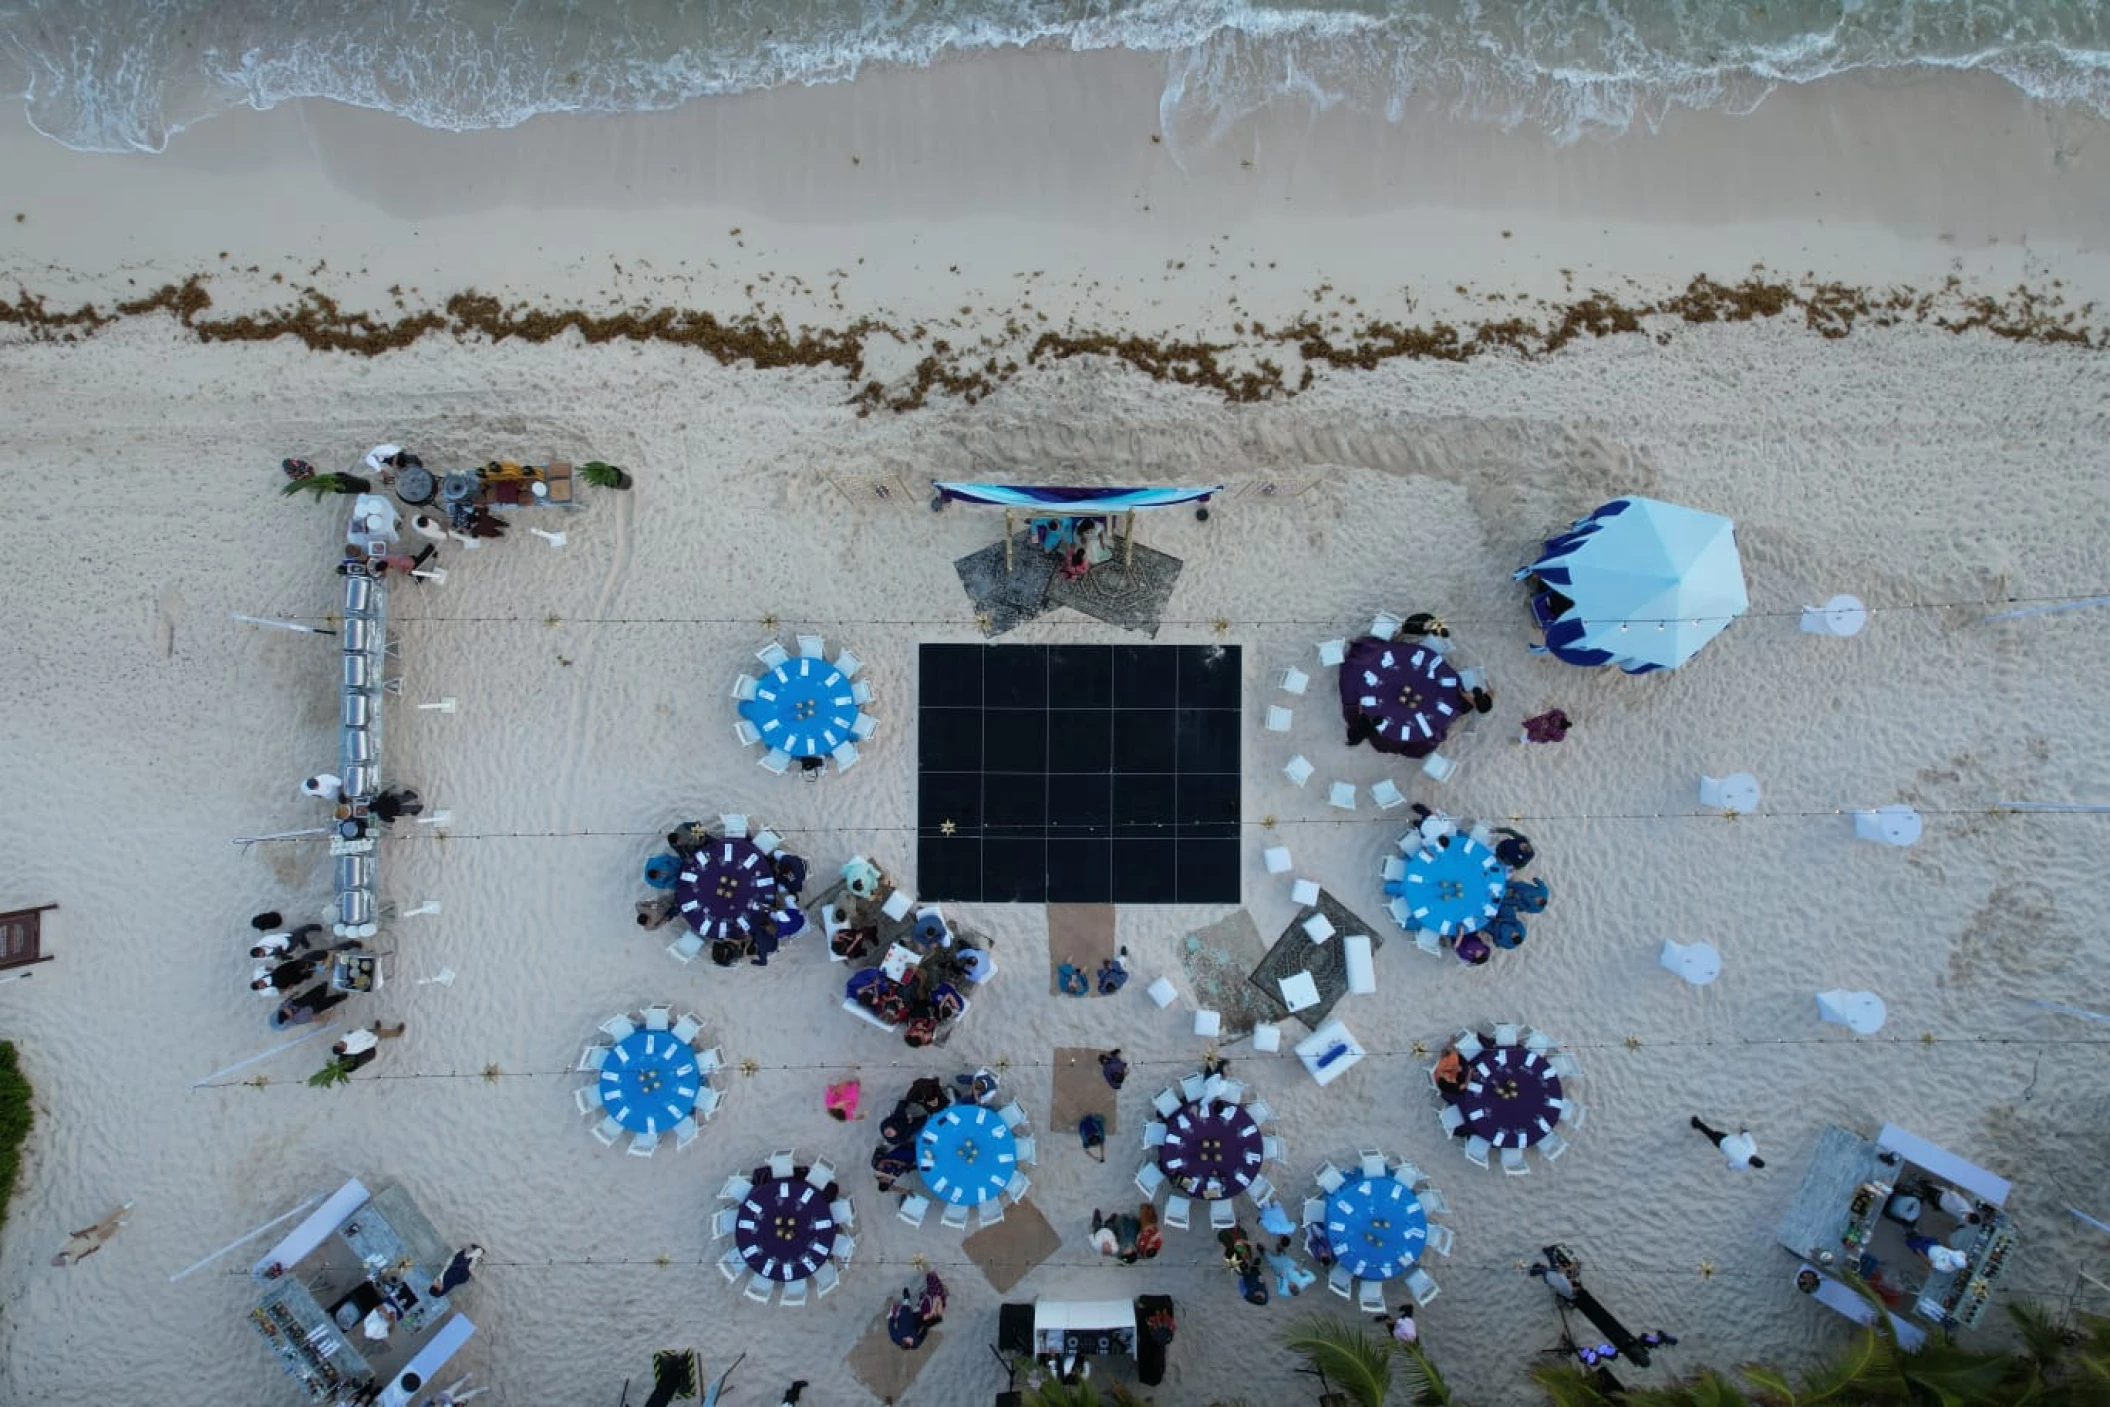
130,75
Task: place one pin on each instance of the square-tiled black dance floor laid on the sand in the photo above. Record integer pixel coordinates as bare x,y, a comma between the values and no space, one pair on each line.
1079,775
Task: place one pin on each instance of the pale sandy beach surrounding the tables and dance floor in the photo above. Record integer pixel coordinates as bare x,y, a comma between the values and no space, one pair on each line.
1940,474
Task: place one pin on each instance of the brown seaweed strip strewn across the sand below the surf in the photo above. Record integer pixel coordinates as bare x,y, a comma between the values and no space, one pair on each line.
1238,370
